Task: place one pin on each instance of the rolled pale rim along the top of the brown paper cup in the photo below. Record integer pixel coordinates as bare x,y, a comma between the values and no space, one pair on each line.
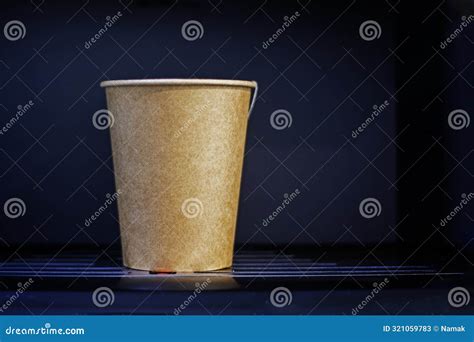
178,81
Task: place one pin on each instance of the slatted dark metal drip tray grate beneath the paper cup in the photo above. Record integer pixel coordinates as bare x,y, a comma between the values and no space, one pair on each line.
249,268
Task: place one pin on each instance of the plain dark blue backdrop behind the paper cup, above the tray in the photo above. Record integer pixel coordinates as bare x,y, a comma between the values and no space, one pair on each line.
320,70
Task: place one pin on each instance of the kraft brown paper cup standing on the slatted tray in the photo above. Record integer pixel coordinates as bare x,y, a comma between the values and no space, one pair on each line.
178,148
